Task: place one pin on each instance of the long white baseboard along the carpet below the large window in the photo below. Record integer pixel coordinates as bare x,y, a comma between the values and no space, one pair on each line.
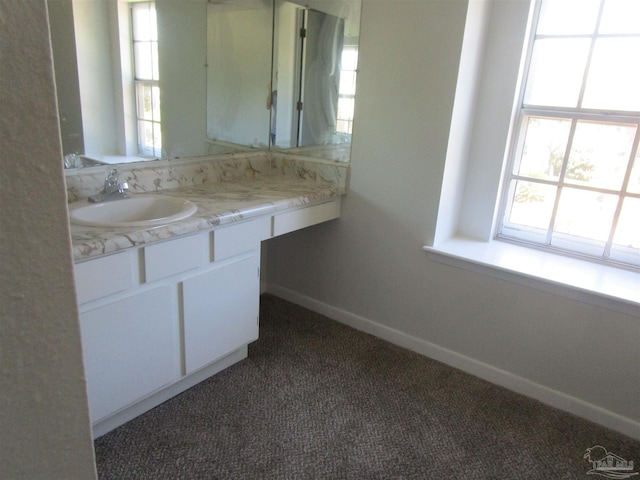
467,364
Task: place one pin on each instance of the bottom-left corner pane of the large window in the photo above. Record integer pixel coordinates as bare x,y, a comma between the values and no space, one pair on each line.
532,204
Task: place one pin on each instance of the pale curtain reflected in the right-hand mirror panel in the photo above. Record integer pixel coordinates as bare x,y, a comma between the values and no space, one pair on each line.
322,80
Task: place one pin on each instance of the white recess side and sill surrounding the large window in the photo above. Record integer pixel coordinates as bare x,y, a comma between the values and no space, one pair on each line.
489,78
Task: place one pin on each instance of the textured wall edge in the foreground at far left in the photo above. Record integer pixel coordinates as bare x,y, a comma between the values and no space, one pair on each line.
44,422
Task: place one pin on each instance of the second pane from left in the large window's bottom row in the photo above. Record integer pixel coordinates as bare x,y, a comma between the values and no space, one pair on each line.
585,214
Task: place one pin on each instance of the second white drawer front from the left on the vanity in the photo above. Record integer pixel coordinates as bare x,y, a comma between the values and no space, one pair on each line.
175,256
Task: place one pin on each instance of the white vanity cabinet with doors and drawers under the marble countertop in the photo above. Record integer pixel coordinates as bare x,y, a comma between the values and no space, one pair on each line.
155,320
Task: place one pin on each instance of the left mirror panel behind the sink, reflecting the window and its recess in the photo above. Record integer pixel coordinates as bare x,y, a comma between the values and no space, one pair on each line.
101,116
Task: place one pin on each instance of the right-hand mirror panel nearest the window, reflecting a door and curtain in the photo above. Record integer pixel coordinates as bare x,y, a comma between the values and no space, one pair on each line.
314,76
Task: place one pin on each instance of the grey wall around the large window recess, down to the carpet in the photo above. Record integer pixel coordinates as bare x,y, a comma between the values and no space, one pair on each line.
368,269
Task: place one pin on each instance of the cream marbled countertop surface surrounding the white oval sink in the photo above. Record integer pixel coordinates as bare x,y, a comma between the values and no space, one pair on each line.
218,204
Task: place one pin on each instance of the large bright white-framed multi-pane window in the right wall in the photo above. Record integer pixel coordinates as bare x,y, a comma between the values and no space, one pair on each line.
573,182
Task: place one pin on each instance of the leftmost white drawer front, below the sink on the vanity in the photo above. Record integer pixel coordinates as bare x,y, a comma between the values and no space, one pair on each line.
103,276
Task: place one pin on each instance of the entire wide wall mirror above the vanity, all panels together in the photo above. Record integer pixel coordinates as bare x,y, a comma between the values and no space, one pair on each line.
184,78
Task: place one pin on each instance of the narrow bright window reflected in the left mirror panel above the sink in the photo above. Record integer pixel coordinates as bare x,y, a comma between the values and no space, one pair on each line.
145,66
